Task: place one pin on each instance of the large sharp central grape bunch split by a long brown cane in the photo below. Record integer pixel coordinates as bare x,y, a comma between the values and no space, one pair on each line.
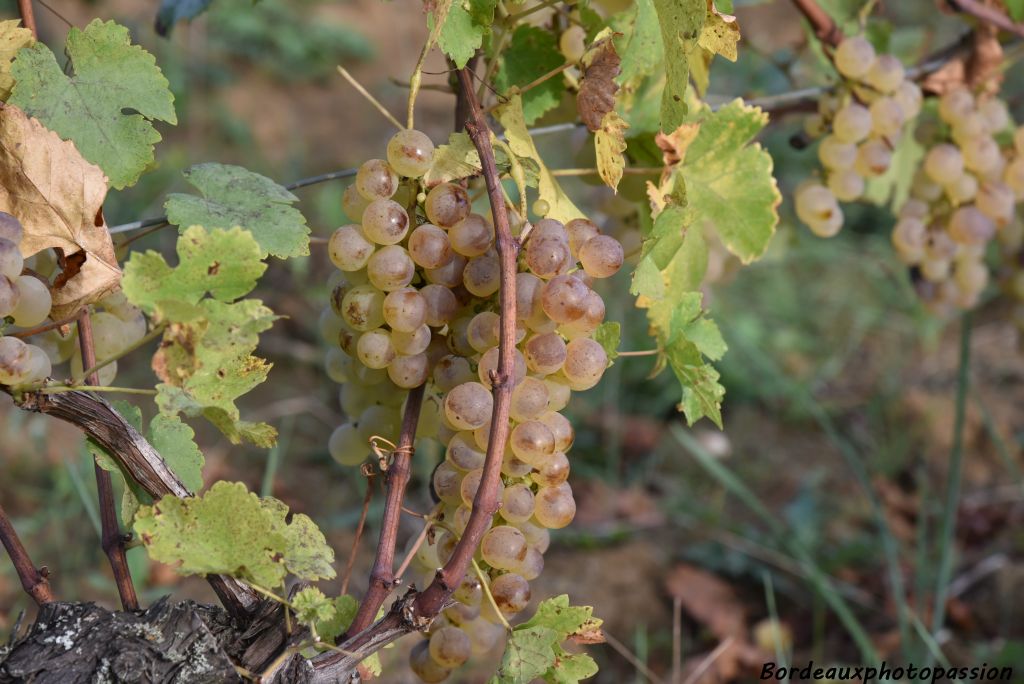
416,303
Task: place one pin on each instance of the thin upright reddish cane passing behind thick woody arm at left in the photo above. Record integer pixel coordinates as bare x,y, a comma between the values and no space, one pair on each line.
112,539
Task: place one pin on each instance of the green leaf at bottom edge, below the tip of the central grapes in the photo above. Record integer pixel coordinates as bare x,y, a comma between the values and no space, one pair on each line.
534,649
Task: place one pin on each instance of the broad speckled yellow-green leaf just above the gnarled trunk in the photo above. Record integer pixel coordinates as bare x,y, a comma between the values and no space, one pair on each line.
230,531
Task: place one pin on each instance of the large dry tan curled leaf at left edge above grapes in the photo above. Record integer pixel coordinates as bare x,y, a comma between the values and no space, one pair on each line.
59,198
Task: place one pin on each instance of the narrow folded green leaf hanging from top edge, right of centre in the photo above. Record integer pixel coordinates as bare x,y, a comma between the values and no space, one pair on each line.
680,22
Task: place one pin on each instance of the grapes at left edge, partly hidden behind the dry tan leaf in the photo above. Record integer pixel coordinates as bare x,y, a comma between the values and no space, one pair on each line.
26,303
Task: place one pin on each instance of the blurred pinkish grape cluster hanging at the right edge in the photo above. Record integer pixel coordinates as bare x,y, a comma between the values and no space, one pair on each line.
964,196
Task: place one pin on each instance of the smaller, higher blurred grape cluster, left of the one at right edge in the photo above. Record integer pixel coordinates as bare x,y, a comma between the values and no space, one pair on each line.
860,125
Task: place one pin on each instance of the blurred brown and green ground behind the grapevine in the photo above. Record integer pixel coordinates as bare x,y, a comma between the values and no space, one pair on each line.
841,389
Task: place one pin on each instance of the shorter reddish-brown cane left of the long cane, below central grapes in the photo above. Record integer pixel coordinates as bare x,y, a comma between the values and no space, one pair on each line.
382,579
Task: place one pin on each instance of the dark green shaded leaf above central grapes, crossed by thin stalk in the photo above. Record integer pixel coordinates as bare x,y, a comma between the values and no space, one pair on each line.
532,54
